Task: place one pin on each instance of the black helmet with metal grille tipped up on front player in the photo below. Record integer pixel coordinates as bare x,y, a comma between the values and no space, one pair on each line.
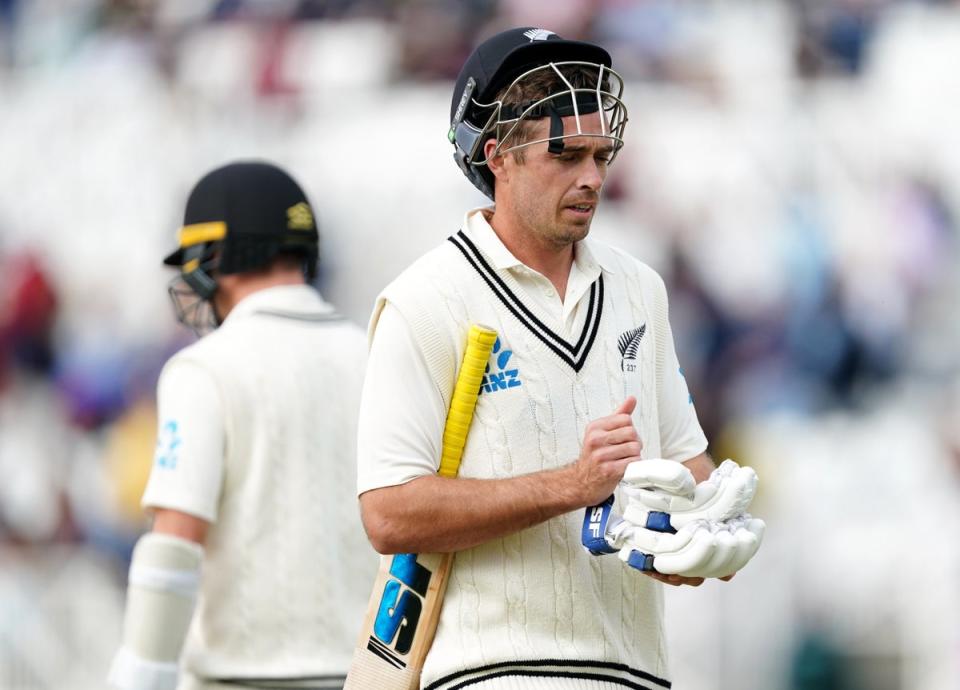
504,62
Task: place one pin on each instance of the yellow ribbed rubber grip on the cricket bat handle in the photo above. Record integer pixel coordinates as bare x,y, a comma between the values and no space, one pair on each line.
480,342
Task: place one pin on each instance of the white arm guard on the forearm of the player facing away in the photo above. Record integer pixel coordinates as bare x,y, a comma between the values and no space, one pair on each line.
164,579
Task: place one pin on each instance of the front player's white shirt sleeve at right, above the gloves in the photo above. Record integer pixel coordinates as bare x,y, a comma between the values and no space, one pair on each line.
681,437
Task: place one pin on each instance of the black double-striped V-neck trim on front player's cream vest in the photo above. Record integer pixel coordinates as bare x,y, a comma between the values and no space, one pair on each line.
574,355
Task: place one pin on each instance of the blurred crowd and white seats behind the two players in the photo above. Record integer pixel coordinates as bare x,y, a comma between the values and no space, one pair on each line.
792,169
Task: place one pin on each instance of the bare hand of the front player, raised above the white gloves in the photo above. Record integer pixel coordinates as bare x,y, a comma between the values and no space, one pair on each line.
610,444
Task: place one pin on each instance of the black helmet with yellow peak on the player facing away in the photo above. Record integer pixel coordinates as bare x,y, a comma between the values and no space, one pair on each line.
238,218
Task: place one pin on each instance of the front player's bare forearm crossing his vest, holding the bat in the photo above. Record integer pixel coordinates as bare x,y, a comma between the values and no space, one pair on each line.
437,514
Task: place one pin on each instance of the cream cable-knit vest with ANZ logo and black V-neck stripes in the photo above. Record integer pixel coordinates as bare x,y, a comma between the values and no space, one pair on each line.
535,605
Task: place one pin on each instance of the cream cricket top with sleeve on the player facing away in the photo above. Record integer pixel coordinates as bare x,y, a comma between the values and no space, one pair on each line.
287,566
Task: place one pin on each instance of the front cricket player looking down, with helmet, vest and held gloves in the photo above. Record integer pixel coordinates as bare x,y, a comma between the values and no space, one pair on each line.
583,391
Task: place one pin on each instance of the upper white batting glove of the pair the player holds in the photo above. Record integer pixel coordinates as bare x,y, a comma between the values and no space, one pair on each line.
663,496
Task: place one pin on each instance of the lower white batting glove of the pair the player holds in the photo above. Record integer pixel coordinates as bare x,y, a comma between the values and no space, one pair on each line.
698,549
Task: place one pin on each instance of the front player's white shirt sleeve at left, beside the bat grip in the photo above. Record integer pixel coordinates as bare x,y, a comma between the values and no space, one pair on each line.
400,427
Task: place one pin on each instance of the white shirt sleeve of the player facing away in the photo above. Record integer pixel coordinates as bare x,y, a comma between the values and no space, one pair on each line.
187,471
